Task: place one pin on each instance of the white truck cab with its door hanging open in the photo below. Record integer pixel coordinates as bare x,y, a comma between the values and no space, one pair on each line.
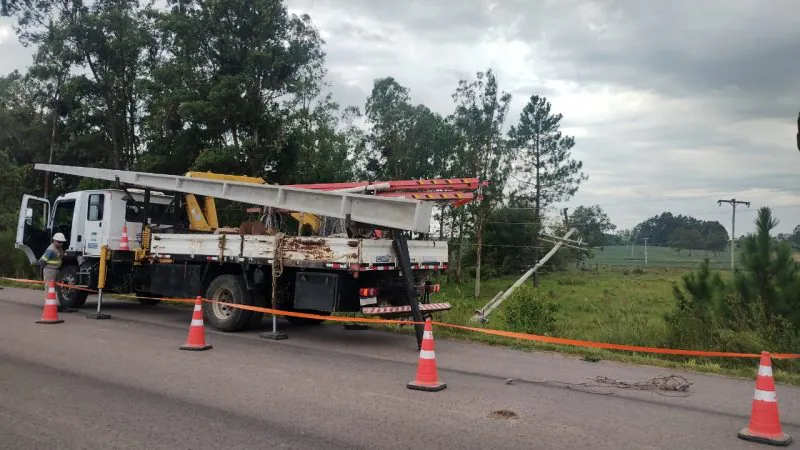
88,219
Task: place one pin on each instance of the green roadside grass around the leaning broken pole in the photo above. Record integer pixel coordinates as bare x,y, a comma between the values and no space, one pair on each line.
613,304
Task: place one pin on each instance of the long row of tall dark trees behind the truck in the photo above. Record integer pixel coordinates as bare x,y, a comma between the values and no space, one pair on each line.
239,87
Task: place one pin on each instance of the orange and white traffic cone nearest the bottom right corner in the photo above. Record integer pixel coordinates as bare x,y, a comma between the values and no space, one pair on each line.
765,423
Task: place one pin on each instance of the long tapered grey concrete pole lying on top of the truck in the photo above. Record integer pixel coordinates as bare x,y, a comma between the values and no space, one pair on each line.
389,212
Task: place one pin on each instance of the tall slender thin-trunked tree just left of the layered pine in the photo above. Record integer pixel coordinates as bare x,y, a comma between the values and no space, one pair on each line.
479,117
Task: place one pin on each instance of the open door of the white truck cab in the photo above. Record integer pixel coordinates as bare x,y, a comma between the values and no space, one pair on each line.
33,236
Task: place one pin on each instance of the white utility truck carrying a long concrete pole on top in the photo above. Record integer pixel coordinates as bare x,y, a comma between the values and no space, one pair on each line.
163,257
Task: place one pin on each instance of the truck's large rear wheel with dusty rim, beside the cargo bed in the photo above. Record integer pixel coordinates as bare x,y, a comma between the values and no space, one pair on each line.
229,289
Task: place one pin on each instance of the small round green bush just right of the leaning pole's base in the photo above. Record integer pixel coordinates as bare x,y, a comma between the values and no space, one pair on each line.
528,312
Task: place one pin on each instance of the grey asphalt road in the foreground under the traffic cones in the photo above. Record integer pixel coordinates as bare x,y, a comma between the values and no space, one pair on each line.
123,383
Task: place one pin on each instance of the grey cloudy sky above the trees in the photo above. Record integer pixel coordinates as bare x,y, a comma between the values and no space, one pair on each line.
673,105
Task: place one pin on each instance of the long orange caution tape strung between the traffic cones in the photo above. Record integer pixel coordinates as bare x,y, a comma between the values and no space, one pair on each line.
508,334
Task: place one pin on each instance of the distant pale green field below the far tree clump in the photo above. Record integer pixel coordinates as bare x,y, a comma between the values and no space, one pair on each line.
624,256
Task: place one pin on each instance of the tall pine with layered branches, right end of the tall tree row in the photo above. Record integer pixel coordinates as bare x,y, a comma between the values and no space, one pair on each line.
543,155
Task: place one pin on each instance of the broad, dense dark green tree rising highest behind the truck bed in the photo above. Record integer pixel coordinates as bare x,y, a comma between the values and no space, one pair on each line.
231,87
